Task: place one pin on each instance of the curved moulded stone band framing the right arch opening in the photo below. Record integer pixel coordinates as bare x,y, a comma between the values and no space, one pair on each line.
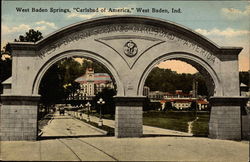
212,79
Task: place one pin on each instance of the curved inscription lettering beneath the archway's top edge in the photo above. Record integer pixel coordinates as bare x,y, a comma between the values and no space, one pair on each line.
151,30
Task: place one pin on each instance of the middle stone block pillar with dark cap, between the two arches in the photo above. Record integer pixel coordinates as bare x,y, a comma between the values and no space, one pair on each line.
128,116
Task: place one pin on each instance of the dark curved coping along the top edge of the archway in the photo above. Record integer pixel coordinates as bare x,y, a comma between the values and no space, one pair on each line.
73,28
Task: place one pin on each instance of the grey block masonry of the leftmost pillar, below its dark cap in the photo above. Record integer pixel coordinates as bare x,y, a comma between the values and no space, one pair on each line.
18,122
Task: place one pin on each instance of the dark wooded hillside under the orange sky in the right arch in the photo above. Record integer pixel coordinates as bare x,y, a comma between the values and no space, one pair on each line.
168,81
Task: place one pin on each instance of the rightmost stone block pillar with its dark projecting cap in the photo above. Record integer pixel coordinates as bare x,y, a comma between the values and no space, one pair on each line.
225,117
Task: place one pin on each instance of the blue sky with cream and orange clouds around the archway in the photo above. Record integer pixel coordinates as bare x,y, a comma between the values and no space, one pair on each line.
227,23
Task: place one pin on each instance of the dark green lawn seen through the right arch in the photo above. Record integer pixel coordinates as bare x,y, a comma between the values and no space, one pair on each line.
178,121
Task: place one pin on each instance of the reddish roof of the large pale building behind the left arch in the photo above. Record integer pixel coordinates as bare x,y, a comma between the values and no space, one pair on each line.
98,78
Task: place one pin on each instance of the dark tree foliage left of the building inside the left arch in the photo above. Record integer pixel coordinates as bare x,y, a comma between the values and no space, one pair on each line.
58,82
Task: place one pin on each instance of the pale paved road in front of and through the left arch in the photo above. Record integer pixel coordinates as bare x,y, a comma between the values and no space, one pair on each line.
89,145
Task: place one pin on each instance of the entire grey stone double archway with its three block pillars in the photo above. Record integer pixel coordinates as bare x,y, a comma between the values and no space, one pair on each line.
129,46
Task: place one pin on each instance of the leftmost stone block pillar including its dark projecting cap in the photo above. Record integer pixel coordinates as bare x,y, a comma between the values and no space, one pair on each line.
18,117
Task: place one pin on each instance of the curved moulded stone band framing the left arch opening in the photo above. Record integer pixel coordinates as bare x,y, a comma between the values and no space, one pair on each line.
78,53
